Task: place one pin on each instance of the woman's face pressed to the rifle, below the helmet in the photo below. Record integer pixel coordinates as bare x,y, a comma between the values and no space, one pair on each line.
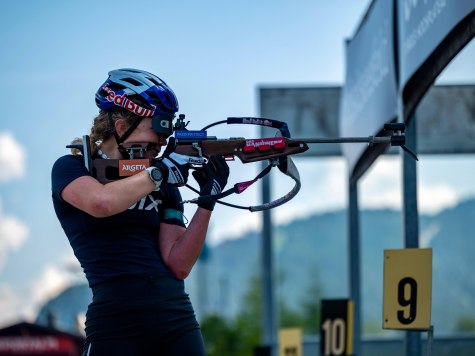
145,135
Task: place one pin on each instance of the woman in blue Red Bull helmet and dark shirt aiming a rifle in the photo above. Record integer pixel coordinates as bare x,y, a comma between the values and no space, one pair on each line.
129,234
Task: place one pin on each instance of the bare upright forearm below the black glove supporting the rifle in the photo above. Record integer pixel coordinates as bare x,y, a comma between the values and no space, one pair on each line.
180,254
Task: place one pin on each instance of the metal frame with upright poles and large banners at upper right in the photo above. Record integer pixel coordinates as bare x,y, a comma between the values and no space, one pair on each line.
396,54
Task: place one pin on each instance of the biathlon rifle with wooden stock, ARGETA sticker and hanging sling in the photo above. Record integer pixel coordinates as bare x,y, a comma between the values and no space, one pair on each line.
199,146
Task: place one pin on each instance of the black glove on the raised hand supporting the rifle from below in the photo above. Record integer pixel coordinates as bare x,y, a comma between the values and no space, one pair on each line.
212,179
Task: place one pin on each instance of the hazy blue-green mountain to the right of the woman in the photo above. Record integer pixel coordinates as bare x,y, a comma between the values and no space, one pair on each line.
313,251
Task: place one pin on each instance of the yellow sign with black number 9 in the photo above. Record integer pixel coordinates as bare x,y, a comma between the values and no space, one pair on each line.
407,289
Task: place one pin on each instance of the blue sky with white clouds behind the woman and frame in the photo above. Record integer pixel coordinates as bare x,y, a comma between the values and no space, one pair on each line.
215,55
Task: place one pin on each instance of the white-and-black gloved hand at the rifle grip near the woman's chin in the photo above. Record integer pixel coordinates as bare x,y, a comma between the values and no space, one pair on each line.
174,166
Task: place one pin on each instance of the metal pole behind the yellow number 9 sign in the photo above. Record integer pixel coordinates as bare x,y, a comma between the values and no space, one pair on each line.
411,219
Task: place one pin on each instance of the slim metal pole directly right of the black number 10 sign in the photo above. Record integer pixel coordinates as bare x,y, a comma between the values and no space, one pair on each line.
354,263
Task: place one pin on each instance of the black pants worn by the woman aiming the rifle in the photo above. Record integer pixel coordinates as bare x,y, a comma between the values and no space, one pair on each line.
142,316
